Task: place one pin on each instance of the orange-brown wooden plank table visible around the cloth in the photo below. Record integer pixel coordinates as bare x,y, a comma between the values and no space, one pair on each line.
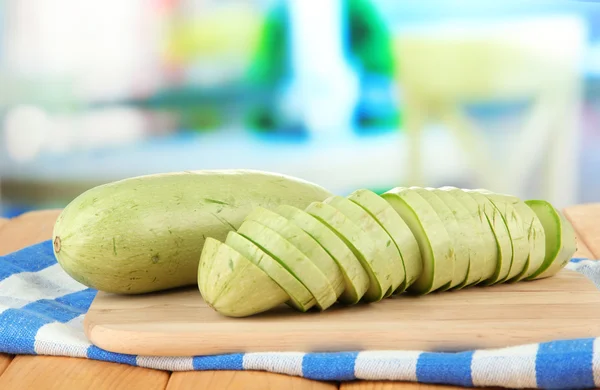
50,372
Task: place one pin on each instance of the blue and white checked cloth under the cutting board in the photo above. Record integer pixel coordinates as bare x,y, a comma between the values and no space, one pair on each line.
42,310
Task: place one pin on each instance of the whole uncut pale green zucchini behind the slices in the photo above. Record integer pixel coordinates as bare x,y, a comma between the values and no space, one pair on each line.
146,233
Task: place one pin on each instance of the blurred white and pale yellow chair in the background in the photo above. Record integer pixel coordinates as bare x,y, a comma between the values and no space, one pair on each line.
441,69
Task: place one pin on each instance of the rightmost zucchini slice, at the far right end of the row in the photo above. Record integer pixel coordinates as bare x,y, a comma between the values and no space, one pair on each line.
560,239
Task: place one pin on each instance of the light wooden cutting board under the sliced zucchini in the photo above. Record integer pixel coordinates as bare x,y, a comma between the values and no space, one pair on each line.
178,322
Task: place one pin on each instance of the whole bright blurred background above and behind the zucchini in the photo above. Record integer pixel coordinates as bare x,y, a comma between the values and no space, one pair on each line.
347,94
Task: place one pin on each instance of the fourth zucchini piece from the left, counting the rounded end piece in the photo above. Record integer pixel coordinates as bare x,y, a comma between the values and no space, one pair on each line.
304,242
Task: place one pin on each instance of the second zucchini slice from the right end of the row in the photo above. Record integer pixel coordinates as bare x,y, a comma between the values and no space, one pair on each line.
534,231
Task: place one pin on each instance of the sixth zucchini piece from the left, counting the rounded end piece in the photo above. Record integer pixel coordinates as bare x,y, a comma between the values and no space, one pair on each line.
359,242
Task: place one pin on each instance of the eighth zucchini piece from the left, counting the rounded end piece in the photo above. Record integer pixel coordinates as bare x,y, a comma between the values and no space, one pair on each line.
397,229
